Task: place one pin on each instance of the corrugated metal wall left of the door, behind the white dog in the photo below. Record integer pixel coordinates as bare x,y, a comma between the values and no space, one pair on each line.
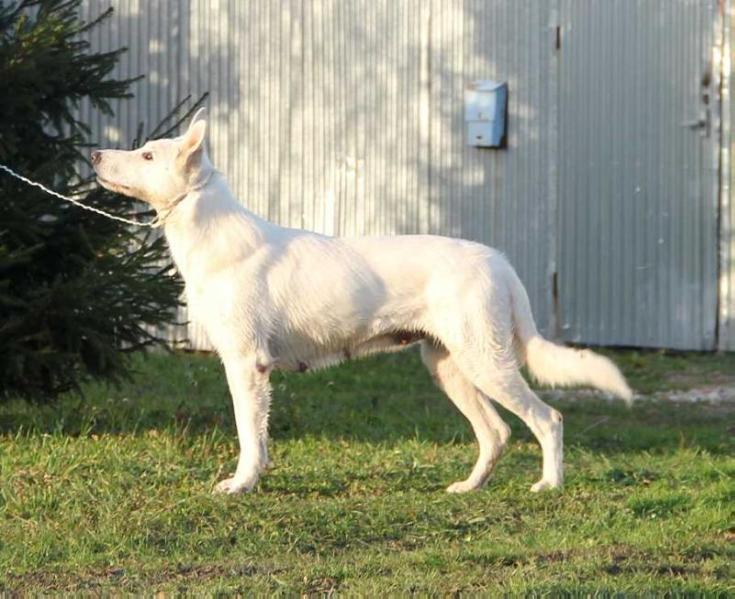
347,117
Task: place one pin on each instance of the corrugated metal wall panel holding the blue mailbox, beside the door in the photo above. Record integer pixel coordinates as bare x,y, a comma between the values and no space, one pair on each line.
505,198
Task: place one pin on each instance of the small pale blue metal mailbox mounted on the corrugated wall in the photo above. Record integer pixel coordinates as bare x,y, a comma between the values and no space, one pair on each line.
486,104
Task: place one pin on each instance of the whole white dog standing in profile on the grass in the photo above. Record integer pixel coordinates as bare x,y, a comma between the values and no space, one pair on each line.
276,298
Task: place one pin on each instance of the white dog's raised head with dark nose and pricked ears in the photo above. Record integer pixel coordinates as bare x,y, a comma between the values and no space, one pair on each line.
158,172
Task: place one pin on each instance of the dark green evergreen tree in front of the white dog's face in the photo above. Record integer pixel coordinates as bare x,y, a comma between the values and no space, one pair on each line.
77,290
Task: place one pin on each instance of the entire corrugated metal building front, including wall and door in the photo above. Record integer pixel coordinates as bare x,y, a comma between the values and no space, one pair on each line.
611,196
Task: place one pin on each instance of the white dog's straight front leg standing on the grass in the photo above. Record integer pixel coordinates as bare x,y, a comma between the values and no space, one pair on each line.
248,378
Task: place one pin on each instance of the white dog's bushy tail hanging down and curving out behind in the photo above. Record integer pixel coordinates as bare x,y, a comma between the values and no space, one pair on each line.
552,364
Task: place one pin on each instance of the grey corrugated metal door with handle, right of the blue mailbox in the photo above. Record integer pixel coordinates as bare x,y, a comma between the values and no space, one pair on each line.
638,142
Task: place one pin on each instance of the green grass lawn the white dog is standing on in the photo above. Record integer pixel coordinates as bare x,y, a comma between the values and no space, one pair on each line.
112,491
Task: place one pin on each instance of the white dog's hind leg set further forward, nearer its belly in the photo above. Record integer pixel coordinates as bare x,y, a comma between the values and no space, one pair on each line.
491,432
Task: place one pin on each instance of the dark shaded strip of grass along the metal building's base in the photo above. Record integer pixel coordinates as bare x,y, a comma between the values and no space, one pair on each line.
380,400
